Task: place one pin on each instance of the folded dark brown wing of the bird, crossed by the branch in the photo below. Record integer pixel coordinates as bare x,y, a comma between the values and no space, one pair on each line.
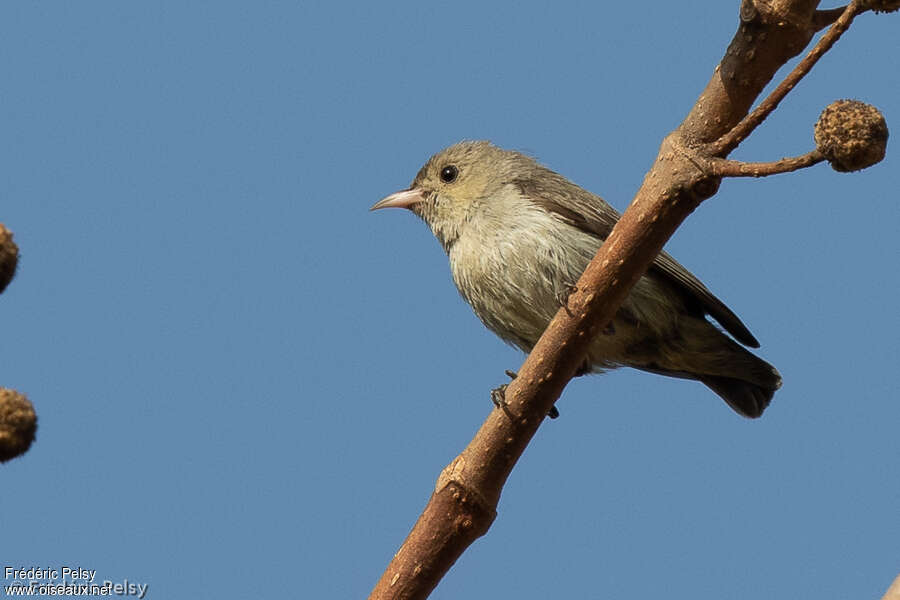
592,214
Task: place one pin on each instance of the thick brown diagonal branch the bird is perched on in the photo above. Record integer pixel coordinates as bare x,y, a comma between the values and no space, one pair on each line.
465,498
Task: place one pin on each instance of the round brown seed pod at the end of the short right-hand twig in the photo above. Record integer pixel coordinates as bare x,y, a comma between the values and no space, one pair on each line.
851,135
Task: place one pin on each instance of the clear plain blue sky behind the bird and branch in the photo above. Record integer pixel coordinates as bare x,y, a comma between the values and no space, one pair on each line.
248,384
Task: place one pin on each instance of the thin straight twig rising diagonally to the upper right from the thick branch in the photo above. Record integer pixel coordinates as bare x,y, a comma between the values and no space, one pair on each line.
728,142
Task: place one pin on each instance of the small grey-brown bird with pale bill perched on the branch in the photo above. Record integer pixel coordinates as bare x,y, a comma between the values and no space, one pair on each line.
519,236
